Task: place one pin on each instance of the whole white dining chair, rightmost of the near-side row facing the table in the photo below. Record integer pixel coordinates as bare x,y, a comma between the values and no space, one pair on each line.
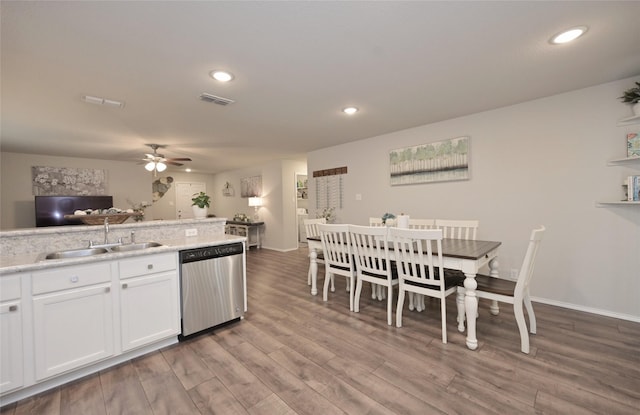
418,256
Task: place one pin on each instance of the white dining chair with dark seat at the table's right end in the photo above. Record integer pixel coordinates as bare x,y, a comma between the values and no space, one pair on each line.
511,292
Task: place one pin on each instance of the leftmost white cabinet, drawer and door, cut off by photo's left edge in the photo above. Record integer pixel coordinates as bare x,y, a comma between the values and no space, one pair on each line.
11,351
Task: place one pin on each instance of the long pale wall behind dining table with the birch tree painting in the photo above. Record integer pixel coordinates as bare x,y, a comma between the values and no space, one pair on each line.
539,162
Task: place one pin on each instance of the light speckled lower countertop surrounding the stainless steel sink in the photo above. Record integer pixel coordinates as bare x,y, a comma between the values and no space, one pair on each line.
36,261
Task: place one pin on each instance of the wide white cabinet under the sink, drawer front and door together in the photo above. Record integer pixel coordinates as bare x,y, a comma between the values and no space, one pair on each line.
72,317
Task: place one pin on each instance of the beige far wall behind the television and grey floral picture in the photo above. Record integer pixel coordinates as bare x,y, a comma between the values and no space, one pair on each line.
124,181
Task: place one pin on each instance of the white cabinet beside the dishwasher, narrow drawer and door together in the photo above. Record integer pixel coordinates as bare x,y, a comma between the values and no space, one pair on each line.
149,299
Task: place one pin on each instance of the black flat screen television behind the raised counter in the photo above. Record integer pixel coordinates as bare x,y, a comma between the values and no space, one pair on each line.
50,210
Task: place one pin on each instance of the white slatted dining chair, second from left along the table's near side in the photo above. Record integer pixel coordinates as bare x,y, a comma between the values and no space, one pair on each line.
338,257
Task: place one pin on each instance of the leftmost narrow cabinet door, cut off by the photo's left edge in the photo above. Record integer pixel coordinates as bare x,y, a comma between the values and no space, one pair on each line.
11,357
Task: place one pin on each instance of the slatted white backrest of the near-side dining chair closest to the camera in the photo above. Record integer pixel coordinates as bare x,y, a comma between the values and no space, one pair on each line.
414,254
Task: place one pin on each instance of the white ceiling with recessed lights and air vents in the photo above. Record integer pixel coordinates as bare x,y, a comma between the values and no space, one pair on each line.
296,64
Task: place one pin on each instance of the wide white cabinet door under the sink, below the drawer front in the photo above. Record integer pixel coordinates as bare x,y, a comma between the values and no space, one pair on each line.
72,328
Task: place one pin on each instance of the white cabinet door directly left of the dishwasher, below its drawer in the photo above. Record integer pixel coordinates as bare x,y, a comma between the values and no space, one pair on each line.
150,309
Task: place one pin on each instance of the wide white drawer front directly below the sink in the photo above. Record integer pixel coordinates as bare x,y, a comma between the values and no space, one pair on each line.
70,277
